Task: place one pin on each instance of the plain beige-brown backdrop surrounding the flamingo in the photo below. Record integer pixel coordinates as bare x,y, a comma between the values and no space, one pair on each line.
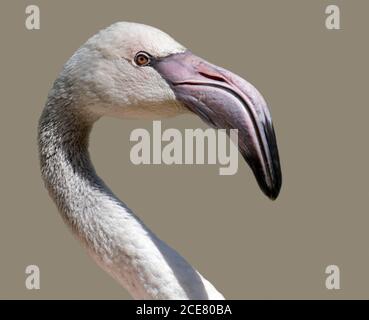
316,83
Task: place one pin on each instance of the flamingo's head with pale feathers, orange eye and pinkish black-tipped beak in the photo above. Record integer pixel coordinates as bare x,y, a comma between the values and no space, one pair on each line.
134,70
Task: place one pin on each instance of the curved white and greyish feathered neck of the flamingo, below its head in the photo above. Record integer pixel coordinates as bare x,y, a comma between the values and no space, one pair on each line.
118,241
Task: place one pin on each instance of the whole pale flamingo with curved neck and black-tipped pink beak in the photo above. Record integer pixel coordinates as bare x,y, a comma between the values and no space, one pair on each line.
131,70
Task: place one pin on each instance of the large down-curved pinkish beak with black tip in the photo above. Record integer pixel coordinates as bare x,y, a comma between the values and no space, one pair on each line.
226,101
